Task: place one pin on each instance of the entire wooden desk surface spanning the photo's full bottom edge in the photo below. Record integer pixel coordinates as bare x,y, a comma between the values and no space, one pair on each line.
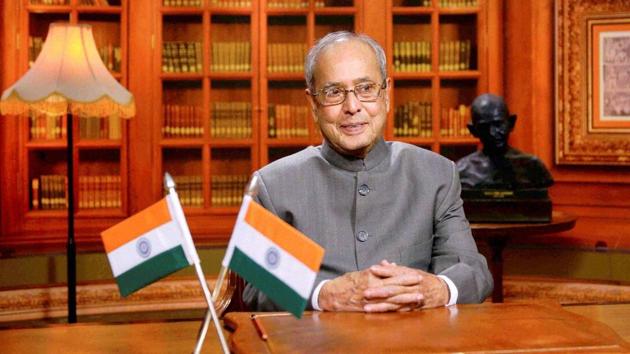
462,328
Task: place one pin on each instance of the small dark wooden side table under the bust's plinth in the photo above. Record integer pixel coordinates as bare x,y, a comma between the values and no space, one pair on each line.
498,235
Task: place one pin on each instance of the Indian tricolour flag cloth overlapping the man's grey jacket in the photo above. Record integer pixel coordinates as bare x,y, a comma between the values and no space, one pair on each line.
273,256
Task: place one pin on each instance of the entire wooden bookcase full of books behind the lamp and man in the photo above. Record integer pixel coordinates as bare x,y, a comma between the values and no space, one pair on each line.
220,92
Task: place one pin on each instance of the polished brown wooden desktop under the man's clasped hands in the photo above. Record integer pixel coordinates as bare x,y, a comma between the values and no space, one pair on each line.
488,328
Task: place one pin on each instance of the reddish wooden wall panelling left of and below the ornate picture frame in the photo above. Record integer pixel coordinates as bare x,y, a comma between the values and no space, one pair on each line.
599,196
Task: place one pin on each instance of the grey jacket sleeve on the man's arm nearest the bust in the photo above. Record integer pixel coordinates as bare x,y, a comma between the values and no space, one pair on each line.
455,253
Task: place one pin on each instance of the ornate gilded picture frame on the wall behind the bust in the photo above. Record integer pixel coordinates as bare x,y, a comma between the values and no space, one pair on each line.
592,82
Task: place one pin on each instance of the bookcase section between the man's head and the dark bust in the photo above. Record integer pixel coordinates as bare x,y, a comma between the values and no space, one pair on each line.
438,57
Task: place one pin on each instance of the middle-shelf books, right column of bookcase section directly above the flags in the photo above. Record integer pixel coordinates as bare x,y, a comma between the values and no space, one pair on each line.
231,120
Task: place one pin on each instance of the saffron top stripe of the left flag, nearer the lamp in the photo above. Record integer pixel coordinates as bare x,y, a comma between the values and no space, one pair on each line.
136,225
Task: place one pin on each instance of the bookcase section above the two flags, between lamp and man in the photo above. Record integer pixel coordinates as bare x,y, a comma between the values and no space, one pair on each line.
209,99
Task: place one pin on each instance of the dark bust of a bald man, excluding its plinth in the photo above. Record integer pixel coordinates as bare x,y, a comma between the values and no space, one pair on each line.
497,165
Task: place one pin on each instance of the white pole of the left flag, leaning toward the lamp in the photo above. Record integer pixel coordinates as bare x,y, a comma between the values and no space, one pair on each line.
170,186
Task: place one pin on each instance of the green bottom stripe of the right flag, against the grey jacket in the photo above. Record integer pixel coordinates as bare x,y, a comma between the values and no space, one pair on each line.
280,293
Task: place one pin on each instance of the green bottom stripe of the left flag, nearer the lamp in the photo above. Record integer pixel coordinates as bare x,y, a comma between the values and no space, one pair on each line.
151,270
